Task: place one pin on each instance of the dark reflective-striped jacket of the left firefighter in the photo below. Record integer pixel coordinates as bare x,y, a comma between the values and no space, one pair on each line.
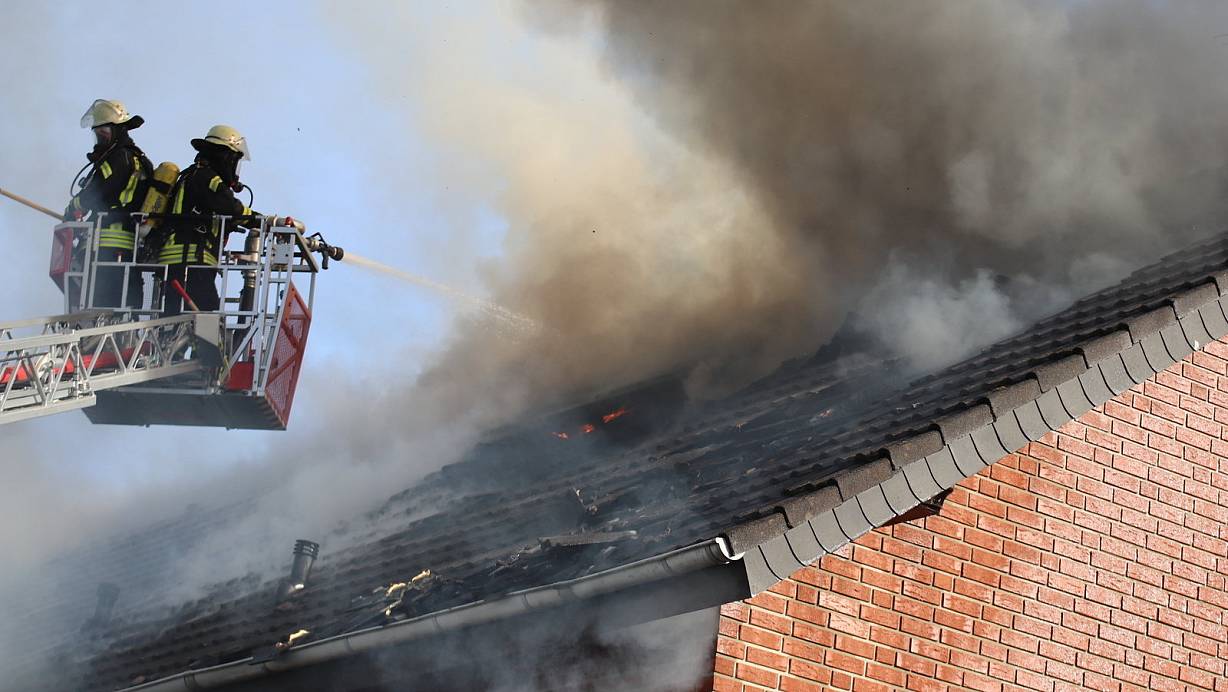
116,186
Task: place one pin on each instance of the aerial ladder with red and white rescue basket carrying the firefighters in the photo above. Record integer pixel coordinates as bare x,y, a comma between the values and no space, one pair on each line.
236,367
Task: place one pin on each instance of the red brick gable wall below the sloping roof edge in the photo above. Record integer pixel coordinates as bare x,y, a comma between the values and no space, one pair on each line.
1096,559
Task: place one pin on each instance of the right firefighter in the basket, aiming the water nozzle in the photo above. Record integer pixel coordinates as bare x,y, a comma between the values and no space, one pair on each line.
204,190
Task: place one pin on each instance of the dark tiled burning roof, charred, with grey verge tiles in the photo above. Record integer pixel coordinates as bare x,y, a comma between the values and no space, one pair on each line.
790,452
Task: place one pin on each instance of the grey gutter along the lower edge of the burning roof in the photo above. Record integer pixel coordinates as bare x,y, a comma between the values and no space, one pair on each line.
675,564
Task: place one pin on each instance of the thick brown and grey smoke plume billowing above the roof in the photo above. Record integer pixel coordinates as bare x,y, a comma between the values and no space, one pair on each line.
736,176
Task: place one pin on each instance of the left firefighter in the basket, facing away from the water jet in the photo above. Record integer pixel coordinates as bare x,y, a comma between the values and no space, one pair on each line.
115,187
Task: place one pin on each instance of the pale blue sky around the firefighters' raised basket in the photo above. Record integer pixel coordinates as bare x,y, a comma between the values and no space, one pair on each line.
331,145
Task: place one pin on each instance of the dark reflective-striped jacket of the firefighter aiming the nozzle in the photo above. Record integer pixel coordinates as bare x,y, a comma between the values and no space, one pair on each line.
200,192
